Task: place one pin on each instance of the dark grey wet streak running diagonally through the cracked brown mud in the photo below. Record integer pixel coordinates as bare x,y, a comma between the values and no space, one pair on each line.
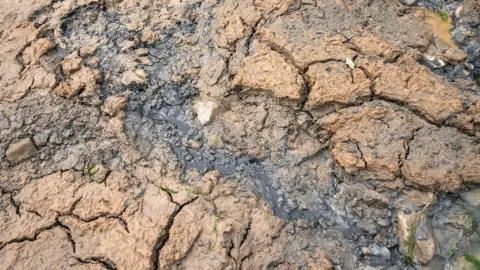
160,113
